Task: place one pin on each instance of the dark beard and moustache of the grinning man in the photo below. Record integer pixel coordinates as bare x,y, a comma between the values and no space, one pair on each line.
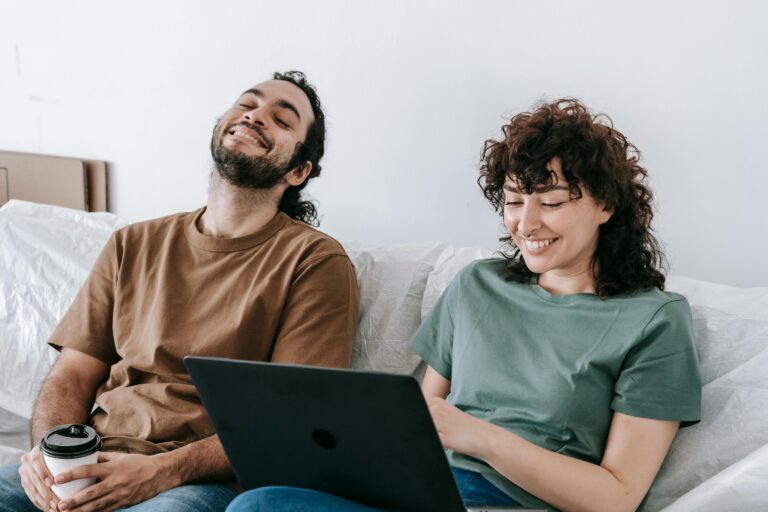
255,172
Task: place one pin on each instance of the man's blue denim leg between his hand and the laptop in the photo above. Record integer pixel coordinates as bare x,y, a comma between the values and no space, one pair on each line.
189,498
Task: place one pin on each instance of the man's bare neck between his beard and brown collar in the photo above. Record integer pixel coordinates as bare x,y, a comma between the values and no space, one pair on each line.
234,212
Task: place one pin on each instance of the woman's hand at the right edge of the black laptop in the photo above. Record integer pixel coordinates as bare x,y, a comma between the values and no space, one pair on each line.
459,431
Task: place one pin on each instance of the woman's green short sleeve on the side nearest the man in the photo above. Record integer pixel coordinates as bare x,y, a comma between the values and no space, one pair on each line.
433,340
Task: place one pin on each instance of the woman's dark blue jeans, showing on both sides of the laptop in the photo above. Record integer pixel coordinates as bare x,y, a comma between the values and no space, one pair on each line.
474,489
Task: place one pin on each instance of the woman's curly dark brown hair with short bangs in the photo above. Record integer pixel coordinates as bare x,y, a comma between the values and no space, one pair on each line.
595,156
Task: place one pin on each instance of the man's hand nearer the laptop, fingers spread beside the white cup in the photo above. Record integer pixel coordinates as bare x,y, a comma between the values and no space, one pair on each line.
122,480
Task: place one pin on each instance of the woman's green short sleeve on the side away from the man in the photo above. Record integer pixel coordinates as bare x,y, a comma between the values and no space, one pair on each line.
660,377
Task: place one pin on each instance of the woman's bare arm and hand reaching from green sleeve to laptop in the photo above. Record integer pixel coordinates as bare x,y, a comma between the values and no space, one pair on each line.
634,453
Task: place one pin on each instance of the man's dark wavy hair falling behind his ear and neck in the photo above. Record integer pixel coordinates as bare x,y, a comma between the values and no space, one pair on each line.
311,151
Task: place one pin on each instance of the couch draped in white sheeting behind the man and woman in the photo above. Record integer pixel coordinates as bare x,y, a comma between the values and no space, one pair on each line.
718,465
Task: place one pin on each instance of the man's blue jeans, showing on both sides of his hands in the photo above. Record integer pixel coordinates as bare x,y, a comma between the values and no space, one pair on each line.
193,498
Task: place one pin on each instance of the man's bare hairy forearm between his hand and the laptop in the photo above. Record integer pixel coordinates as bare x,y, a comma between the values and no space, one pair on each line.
199,461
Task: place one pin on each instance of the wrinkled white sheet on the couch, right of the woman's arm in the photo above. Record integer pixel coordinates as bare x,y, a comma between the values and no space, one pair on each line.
731,326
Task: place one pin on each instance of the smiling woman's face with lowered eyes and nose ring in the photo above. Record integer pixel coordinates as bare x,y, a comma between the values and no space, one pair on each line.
557,235
